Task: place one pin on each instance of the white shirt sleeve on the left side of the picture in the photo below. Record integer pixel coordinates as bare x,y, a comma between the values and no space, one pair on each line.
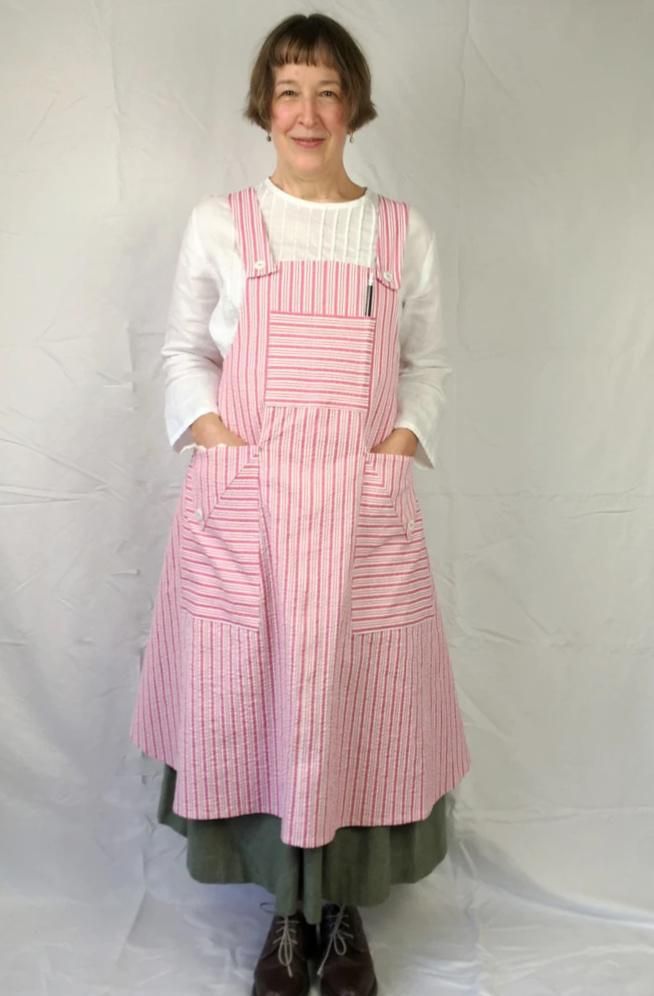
192,362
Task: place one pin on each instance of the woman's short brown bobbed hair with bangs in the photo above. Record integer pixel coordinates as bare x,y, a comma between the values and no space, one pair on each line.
310,39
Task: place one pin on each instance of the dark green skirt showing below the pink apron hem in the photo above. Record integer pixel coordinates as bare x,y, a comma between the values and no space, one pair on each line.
357,867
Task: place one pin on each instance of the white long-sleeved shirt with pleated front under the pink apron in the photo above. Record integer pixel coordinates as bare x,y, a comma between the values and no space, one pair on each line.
208,289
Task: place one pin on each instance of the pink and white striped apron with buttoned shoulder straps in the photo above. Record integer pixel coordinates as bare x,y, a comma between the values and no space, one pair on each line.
296,663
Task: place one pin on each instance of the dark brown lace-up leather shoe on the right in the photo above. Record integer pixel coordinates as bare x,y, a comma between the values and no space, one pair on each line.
346,968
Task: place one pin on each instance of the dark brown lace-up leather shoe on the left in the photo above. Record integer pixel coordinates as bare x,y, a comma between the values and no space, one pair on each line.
282,968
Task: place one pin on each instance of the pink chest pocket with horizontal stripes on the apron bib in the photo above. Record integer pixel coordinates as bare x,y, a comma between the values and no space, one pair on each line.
319,360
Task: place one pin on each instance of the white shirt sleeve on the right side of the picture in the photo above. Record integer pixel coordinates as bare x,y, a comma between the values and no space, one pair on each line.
424,361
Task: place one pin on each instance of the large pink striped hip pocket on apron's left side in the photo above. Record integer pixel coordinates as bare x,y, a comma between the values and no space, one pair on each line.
220,561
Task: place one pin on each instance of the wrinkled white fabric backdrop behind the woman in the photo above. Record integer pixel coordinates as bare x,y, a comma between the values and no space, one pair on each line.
523,130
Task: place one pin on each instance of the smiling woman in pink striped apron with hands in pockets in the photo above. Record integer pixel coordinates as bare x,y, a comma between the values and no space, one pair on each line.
296,682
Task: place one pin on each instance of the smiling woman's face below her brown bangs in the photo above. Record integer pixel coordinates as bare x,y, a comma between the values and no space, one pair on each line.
307,103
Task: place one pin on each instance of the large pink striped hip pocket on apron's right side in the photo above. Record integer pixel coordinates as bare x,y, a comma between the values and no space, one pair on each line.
392,583
